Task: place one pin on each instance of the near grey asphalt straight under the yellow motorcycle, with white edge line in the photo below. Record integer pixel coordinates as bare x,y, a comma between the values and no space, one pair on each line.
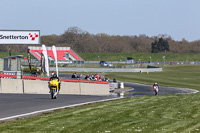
21,105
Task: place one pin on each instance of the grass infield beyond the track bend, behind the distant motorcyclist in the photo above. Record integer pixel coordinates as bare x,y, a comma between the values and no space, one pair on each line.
185,76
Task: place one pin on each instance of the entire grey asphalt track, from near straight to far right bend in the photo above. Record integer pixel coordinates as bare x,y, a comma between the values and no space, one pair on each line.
14,106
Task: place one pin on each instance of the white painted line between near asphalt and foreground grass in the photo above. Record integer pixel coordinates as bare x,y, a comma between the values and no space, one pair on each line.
52,109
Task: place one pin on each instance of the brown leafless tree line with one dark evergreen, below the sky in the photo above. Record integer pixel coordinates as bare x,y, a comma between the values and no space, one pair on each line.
84,42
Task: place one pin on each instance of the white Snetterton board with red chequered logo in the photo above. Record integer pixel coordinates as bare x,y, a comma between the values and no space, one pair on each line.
19,37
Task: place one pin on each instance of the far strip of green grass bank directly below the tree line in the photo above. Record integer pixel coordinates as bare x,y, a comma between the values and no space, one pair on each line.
155,57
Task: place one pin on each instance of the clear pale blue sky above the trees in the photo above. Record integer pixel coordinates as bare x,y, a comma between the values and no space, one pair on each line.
179,19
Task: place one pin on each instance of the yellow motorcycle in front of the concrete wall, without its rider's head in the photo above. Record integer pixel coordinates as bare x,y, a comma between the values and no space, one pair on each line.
54,88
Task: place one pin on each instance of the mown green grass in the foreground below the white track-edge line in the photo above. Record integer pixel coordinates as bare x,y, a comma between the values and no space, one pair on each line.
175,113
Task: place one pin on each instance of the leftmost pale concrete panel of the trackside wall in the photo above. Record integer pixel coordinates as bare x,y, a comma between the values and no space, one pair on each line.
11,85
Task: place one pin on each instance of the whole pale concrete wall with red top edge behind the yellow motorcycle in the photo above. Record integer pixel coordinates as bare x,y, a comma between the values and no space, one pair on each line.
39,85
